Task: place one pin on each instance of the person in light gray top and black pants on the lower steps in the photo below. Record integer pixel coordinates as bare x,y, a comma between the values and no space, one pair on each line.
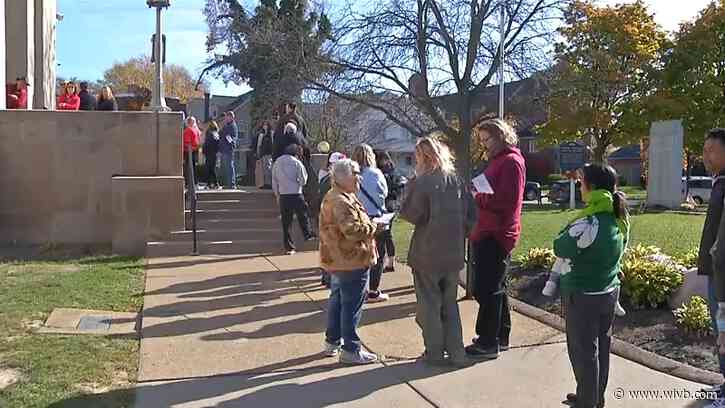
288,178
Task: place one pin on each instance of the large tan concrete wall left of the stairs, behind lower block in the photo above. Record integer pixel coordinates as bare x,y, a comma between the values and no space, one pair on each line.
56,171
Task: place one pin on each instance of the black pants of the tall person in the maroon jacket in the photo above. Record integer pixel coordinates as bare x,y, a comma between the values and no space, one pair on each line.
493,323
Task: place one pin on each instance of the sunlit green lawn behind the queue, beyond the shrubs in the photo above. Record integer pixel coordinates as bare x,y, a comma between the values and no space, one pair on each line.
676,234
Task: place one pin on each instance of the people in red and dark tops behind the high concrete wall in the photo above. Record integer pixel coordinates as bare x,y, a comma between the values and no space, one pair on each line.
70,97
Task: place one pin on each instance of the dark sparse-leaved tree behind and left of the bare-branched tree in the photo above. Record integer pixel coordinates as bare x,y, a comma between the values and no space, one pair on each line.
266,48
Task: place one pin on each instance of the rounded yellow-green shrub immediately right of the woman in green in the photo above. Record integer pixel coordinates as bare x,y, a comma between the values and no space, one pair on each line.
649,283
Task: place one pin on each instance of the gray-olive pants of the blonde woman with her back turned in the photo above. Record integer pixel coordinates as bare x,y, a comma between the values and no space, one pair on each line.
437,314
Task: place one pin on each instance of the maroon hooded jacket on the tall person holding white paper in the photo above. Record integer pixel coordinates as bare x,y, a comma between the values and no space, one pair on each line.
499,214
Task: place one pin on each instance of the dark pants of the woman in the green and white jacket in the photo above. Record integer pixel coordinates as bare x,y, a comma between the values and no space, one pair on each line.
589,321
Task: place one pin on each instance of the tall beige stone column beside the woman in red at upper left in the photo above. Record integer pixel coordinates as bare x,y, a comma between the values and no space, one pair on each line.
44,85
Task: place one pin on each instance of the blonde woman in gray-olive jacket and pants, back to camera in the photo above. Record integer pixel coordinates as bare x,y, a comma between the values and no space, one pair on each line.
434,204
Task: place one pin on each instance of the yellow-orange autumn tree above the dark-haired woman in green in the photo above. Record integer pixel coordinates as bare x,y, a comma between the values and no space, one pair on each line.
606,71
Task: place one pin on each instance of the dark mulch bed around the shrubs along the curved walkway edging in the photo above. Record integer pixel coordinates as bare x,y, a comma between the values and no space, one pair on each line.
652,330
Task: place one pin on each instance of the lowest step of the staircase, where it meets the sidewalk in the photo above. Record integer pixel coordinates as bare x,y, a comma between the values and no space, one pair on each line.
161,249
